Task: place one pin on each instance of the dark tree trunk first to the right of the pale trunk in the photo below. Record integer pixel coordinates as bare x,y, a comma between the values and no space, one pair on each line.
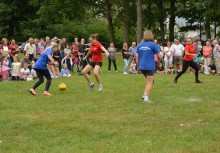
161,18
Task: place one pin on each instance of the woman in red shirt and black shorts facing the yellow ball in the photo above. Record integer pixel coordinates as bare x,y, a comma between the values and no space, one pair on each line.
96,49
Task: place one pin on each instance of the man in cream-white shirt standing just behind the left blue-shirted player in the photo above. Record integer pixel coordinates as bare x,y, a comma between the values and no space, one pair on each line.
30,49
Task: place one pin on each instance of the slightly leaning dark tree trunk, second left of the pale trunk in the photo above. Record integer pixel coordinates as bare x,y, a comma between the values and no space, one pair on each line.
110,22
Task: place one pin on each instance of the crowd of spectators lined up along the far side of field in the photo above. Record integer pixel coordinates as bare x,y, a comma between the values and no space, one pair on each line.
71,58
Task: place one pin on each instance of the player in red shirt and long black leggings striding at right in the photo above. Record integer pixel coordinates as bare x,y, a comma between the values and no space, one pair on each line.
188,60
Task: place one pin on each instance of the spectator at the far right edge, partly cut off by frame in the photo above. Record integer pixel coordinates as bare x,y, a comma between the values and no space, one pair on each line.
216,53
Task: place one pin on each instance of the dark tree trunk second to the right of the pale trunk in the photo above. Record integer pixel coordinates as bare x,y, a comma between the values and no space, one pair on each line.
172,20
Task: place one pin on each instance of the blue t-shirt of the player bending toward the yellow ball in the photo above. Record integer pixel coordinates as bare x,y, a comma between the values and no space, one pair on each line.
43,60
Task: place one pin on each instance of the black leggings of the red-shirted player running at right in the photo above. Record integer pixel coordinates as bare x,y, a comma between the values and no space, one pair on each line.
193,65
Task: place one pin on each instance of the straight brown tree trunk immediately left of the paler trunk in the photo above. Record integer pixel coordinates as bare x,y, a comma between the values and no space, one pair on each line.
126,21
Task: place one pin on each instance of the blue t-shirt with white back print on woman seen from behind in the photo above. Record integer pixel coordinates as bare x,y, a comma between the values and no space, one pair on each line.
146,52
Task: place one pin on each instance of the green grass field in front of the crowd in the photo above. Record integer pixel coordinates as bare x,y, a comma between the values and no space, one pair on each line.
184,117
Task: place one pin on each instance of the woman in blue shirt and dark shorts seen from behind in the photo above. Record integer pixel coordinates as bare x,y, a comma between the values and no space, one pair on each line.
145,60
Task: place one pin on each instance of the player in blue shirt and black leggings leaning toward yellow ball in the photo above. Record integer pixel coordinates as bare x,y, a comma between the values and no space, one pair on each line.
42,71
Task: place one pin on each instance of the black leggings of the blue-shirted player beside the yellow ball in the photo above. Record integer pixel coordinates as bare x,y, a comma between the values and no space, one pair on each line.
41,74
